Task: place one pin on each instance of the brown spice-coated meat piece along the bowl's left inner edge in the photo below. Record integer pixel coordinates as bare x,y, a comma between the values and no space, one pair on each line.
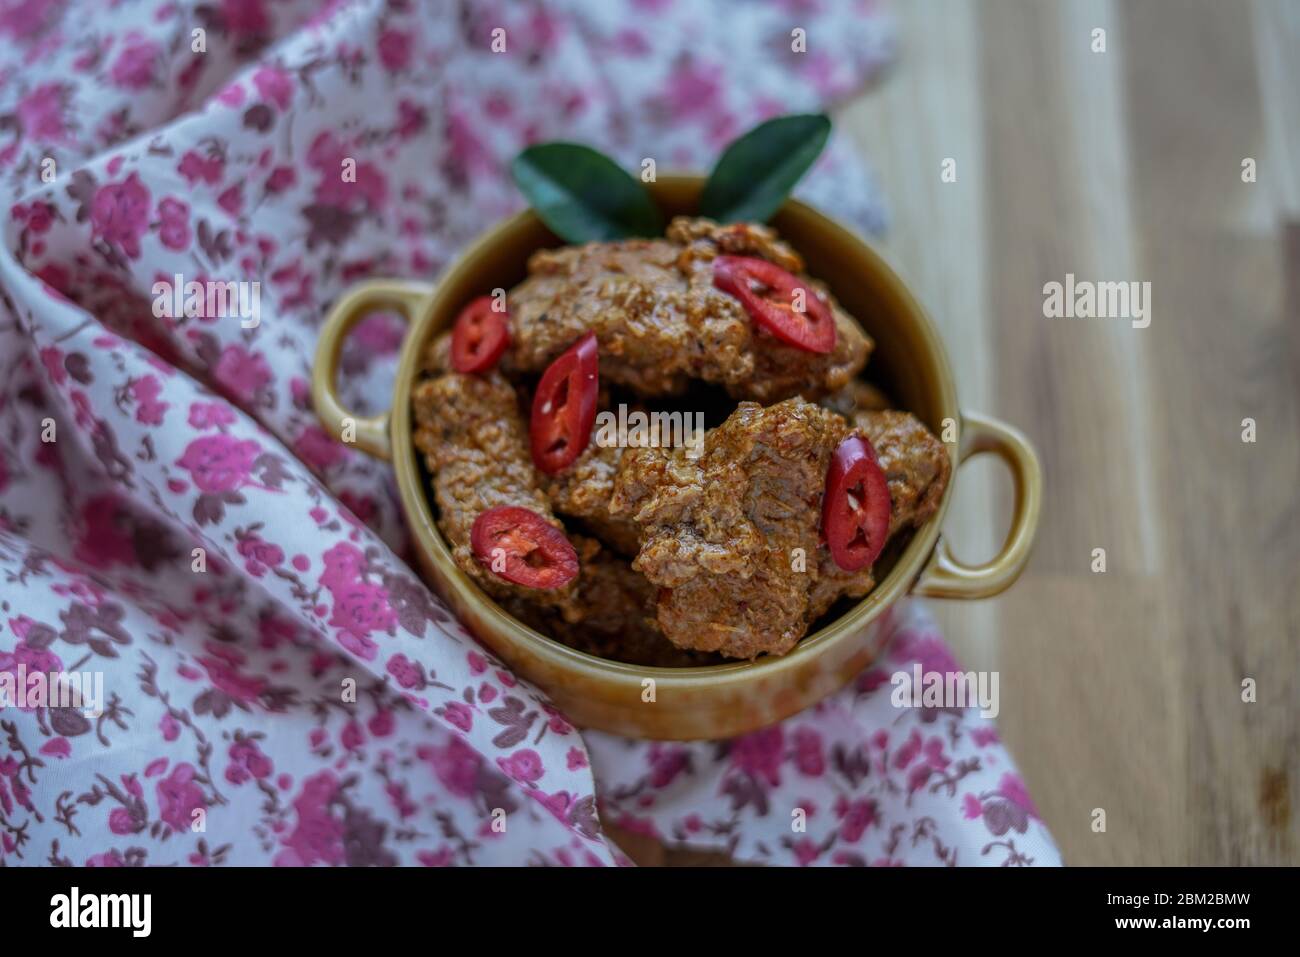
476,449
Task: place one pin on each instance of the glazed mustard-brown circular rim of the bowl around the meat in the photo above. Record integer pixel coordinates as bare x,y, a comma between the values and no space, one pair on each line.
419,510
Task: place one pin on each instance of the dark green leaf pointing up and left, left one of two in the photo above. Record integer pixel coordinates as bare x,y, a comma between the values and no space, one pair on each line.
583,196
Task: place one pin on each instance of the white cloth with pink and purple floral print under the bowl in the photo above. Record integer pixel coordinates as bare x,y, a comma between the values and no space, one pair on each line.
278,686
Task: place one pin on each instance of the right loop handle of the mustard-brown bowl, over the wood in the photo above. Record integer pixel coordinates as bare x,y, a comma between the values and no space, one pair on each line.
948,578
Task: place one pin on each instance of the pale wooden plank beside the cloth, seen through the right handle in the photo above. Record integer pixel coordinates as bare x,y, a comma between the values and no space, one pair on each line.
938,245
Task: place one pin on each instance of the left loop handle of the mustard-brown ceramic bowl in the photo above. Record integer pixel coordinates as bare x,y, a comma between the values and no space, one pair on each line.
369,434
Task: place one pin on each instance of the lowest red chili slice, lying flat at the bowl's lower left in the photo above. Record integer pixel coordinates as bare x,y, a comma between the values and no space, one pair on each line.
532,552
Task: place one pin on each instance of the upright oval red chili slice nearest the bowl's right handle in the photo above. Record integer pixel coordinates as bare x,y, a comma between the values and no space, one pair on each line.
856,506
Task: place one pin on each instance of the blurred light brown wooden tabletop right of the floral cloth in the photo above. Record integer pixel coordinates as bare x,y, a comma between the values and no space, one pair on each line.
1120,691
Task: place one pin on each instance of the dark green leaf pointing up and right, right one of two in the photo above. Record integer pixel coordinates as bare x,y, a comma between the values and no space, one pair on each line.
757,172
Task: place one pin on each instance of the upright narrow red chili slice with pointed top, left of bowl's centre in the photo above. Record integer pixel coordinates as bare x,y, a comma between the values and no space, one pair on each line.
565,406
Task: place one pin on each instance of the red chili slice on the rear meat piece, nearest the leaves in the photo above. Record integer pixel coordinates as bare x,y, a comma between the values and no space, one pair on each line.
769,296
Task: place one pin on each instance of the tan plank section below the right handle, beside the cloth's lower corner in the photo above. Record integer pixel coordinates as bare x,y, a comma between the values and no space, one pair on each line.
1091,713
